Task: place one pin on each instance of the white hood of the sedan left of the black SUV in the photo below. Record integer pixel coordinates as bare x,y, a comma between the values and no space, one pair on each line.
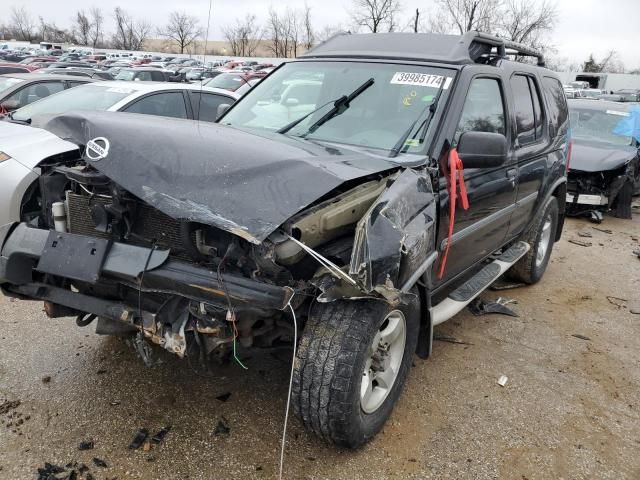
28,145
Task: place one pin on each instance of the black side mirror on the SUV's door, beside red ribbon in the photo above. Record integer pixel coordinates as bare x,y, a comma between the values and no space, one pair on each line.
482,149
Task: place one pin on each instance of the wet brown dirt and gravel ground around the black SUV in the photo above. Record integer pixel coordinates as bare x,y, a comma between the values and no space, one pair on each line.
570,408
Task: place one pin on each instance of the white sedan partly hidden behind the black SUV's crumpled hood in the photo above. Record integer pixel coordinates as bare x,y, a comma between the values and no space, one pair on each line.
23,147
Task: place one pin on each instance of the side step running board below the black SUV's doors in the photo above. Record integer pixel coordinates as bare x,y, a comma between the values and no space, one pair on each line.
464,294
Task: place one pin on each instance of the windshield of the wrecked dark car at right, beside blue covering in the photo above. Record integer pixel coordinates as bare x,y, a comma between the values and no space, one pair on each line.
599,125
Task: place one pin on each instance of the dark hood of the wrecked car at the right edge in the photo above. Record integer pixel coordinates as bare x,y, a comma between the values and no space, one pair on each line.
590,156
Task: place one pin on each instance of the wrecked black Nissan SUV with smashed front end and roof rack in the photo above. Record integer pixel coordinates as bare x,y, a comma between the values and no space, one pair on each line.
353,200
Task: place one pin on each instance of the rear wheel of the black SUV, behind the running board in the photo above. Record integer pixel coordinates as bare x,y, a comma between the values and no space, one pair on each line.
541,236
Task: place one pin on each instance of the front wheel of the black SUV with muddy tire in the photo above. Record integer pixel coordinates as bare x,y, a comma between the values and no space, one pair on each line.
336,392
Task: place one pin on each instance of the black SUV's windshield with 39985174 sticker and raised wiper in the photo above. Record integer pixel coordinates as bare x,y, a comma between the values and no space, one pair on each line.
379,117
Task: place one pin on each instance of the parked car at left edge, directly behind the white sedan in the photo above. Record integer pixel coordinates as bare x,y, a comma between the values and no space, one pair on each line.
20,89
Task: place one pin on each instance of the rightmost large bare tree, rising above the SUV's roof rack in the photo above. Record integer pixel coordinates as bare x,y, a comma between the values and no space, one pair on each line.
526,22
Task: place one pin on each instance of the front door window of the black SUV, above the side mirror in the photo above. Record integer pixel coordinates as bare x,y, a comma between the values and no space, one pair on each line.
483,109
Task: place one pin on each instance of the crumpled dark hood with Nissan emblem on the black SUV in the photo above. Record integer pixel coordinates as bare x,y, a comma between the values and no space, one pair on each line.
245,183
